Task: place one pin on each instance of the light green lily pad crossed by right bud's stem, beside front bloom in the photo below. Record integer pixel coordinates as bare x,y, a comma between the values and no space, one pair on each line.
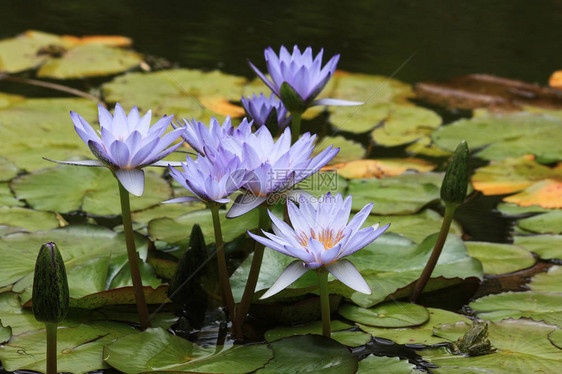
415,227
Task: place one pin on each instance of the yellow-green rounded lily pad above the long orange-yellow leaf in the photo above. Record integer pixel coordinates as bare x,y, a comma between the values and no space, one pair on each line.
406,124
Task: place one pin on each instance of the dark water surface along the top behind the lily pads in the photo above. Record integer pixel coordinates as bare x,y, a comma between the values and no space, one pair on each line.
511,38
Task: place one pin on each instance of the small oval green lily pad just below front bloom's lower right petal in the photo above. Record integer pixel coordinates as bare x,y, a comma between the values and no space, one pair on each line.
392,314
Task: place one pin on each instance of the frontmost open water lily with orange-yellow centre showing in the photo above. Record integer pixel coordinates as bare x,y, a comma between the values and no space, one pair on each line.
320,237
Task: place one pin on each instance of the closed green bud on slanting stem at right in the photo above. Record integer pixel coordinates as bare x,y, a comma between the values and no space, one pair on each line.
455,183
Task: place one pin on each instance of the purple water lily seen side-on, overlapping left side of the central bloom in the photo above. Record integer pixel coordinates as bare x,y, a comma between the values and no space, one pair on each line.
210,177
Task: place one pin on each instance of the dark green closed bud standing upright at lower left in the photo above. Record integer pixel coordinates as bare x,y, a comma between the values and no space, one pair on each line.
50,286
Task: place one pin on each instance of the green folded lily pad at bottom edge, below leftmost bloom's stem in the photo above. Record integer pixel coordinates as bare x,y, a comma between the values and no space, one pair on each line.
157,350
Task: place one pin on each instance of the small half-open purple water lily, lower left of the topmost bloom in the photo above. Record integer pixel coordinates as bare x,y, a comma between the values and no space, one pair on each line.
268,112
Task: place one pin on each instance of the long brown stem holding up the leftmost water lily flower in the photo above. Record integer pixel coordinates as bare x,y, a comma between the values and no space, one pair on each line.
133,257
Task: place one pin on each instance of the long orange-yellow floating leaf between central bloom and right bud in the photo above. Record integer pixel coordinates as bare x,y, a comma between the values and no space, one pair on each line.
381,168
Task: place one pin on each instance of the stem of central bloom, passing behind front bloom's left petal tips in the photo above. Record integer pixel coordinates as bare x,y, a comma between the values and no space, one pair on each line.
244,305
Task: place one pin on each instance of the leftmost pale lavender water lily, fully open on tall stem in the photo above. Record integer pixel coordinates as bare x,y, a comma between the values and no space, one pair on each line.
126,143
